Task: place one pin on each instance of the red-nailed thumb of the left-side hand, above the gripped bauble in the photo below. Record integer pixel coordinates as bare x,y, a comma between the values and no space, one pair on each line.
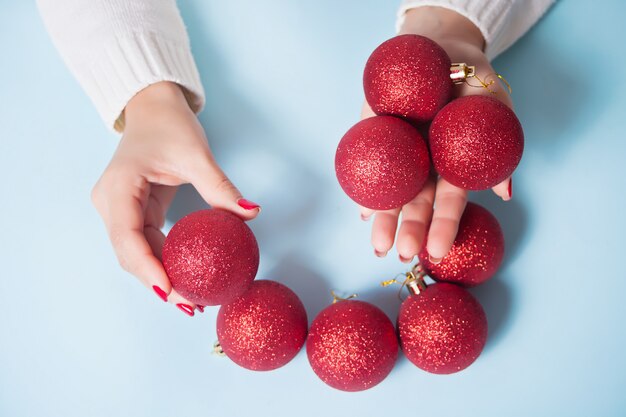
217,190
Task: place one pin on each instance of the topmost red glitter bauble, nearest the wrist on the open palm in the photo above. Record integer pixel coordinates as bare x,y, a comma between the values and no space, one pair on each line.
408,76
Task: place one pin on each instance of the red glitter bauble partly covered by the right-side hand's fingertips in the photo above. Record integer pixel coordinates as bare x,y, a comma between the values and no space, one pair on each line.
476,253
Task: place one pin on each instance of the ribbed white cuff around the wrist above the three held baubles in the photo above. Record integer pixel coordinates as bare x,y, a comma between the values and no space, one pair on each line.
488,16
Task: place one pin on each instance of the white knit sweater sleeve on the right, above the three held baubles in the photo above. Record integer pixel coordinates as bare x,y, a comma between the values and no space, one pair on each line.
502,22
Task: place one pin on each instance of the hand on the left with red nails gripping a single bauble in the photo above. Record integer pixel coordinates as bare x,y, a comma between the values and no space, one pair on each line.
163,146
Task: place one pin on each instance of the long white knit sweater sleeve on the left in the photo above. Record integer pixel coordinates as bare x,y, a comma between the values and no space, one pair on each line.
115,48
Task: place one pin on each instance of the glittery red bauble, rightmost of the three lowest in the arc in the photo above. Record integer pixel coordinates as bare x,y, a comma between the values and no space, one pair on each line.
442,329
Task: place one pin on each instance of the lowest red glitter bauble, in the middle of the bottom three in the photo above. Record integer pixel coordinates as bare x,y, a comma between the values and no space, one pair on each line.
352,345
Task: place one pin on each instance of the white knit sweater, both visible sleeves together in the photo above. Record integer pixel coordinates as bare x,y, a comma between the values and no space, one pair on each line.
115,48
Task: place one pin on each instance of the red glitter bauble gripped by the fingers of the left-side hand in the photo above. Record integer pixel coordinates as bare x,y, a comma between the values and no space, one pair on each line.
211,257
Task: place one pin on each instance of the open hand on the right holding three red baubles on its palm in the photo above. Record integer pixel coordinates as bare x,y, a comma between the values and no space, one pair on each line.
434,214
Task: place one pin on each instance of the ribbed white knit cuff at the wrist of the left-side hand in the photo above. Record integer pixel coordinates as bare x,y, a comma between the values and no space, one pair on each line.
130,63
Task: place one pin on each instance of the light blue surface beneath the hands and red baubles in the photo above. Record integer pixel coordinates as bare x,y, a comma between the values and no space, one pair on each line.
79,337
